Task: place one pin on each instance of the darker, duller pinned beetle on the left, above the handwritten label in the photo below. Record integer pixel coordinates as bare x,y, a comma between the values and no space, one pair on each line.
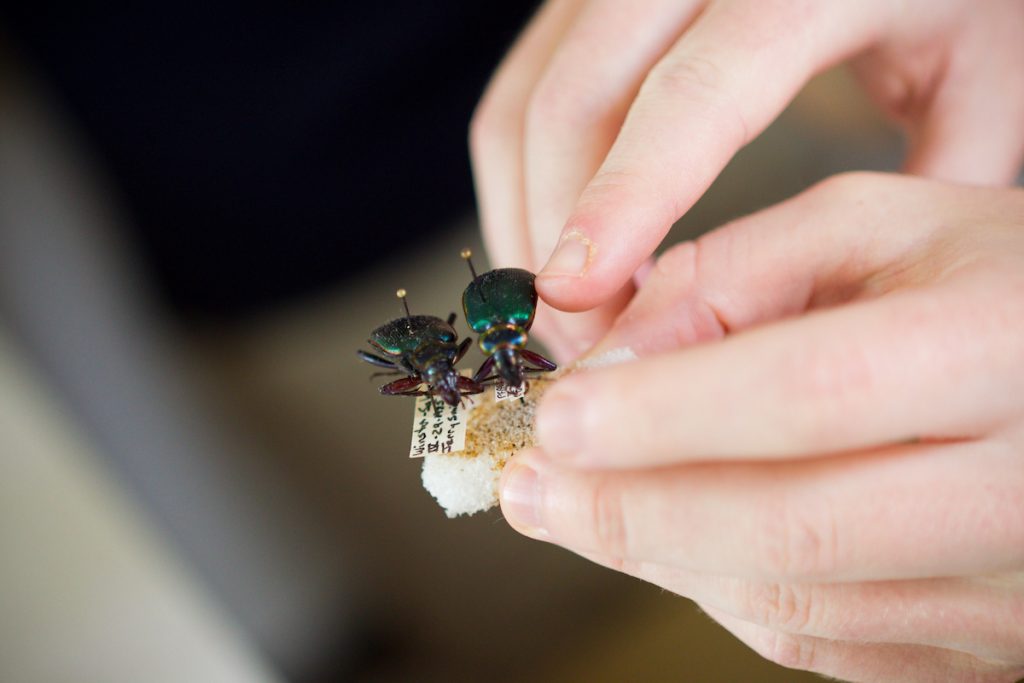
424,349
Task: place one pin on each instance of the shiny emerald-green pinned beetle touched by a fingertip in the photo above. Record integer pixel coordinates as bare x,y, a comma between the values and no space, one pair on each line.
500,307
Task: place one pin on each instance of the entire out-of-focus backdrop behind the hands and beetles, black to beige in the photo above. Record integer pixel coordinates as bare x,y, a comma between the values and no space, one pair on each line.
203,214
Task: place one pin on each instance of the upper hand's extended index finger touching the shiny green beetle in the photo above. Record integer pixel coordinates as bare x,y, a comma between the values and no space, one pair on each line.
718,88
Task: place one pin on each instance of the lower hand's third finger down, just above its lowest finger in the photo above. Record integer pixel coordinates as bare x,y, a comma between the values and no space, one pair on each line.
976,616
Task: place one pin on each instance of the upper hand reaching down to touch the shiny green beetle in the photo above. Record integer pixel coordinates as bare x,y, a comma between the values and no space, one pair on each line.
609,120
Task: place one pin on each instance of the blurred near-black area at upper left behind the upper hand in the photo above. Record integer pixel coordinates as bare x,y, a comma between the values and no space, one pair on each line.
267,151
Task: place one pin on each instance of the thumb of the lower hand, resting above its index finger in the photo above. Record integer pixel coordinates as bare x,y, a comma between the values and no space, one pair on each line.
828,245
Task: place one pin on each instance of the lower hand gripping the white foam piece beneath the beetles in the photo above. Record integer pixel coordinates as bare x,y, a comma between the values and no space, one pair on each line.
824,441
